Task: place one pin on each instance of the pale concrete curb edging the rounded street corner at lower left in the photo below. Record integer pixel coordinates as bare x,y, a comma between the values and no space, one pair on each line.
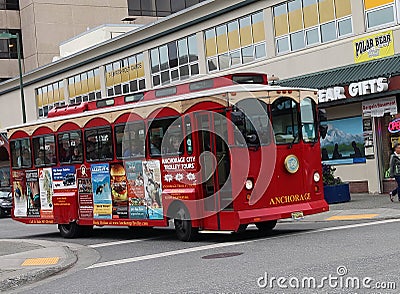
40,274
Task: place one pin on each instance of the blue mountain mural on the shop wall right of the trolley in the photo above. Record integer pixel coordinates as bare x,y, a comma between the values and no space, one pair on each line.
344,142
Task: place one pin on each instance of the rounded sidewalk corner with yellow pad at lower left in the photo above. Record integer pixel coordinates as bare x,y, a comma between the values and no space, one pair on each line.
28,261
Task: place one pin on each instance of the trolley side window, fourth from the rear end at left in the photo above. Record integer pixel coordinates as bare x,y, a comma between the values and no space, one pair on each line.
99,144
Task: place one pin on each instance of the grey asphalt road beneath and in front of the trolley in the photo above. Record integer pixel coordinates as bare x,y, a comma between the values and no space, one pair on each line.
158,263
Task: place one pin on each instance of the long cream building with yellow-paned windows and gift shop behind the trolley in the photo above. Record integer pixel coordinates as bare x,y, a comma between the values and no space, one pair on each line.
348,50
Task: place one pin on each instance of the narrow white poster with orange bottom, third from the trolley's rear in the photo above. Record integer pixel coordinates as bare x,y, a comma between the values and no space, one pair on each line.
46,192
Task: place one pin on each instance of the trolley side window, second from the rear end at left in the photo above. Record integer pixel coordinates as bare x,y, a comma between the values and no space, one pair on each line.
44,148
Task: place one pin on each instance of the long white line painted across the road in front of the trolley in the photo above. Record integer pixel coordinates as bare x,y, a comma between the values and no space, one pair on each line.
228,244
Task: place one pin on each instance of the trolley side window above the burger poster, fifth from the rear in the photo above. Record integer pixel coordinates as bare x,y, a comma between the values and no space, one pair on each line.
129,140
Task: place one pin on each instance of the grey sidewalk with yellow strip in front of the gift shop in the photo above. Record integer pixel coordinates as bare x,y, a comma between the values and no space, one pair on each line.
361,207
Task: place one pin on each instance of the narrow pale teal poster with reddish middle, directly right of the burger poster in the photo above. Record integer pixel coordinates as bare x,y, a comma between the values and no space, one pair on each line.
134,174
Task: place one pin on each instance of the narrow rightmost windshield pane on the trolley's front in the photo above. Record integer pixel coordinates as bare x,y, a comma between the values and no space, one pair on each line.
308,121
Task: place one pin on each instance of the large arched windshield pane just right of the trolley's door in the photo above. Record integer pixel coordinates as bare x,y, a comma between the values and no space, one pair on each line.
251,118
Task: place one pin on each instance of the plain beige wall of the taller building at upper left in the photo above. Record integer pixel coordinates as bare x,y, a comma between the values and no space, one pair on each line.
45,24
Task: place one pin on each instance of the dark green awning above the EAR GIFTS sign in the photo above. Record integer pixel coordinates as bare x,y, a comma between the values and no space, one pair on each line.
384,67
